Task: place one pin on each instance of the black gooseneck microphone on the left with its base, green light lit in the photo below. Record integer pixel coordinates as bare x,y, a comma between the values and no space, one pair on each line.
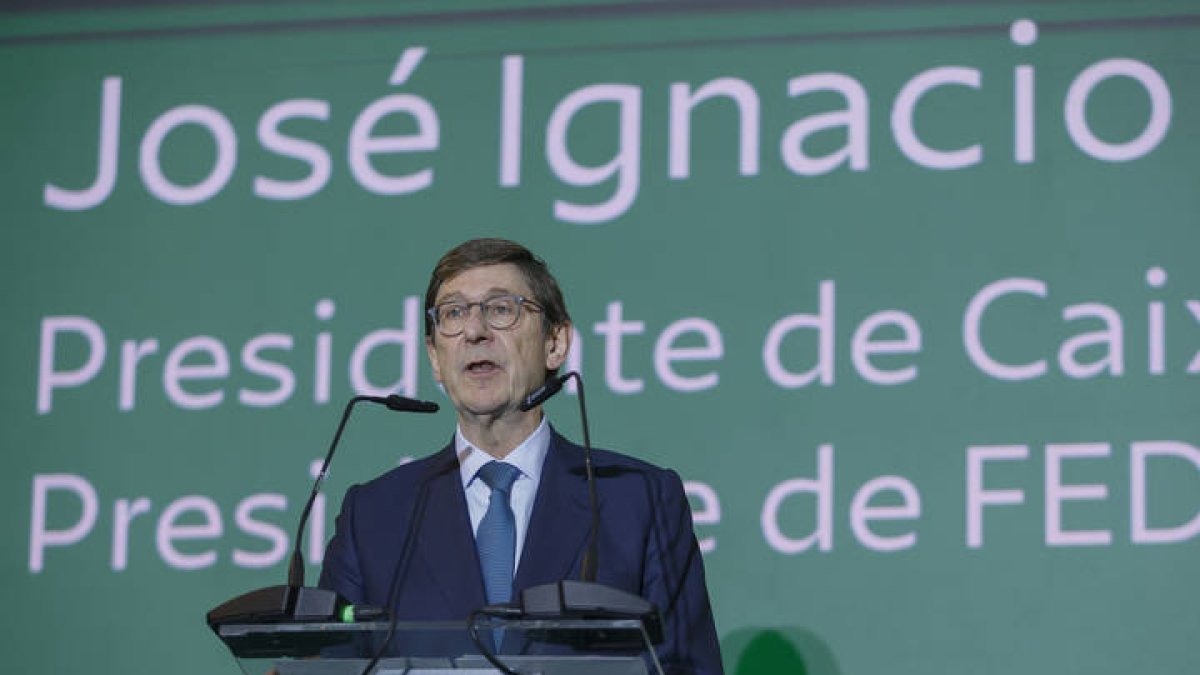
295,601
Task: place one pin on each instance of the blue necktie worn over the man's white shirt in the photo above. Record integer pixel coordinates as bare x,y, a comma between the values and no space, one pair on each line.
497,537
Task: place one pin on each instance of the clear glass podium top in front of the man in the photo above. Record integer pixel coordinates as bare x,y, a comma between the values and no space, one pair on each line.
559,647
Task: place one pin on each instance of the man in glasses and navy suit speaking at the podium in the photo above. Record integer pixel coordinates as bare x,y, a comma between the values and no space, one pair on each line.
419,540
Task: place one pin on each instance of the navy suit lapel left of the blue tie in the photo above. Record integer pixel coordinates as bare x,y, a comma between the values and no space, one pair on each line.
447,547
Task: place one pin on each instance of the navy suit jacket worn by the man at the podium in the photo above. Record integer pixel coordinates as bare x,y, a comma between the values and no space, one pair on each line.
646,545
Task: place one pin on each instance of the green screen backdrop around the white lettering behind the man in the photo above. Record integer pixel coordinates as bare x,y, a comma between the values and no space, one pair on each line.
740,252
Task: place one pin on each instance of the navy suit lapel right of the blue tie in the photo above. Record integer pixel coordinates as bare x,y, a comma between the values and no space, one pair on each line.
559,527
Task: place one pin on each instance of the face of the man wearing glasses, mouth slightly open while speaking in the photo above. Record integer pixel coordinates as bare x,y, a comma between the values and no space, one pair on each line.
488,373
